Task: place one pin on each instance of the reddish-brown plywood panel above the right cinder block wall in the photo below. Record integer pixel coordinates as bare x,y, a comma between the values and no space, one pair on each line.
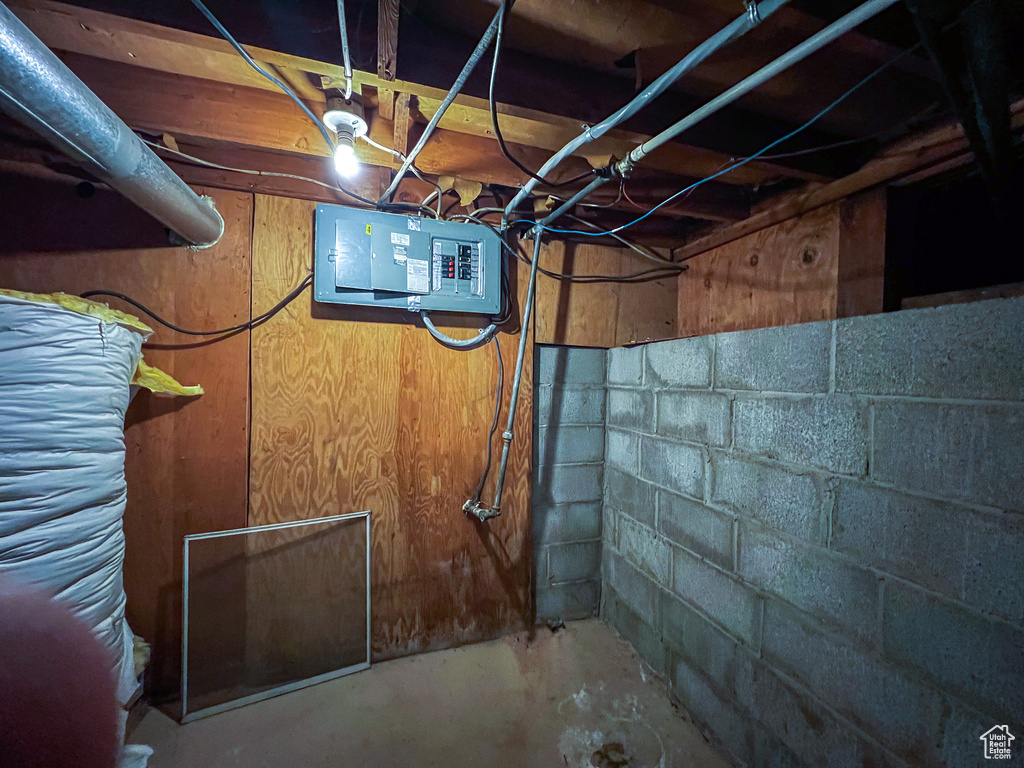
828,264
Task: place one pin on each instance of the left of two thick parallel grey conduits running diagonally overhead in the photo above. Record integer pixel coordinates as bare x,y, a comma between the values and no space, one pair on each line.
756,13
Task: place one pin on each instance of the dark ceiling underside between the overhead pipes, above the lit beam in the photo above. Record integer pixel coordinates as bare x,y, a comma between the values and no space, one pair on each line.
583,59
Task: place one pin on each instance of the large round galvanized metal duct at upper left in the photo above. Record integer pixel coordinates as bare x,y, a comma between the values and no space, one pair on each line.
39,92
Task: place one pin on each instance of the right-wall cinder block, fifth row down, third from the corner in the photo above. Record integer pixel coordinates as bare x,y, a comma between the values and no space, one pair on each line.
732,605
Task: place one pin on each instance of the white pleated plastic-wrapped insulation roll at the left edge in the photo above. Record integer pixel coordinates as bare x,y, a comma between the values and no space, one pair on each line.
65,387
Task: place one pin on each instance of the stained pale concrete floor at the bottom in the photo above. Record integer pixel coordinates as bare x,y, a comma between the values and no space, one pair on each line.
575,698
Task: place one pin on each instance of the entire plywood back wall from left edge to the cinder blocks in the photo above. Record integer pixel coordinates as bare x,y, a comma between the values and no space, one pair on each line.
349,412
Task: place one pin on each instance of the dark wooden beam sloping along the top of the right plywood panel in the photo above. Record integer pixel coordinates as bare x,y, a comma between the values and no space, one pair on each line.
940,150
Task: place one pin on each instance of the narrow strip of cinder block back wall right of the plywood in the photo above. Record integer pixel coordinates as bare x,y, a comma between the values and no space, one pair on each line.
569,459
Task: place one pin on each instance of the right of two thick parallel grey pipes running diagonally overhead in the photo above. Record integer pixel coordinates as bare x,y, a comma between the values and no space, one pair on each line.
797,54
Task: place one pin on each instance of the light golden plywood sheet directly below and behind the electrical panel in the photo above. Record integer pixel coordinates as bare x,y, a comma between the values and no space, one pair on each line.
375,415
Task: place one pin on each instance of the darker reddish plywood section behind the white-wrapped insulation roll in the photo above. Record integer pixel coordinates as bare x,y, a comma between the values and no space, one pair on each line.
187,459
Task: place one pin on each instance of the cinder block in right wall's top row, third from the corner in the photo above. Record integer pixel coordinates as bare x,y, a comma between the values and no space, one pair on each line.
788,359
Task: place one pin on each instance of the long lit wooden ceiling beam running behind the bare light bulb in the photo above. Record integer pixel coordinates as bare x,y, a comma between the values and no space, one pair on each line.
113,38
